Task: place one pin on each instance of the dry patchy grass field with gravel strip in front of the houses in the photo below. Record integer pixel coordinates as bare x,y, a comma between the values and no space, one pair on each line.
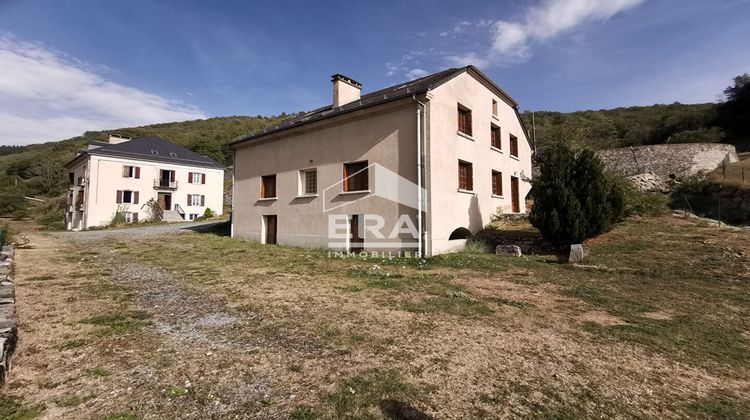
204,326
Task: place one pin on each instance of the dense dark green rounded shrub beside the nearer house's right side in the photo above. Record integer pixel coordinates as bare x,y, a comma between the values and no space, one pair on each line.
574,198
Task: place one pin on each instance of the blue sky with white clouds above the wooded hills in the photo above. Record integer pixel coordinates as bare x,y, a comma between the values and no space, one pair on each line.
68,66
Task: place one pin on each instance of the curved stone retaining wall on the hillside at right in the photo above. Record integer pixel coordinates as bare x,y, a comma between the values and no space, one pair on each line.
669,160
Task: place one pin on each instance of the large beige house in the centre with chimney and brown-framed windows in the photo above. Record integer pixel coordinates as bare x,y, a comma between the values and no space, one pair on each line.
416,167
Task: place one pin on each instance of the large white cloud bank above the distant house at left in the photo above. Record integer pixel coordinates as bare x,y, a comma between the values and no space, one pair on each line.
45,95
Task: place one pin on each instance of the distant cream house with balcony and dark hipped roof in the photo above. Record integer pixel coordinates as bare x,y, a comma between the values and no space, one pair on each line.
123,175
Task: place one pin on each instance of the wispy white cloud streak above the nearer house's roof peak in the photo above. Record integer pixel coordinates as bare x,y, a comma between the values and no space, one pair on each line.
512,40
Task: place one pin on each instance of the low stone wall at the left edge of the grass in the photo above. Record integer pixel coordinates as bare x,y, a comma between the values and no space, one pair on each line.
8,318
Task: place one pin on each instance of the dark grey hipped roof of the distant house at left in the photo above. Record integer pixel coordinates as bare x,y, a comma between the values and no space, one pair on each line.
152,148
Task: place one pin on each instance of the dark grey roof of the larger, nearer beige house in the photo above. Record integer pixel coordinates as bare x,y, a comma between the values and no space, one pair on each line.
392,93
